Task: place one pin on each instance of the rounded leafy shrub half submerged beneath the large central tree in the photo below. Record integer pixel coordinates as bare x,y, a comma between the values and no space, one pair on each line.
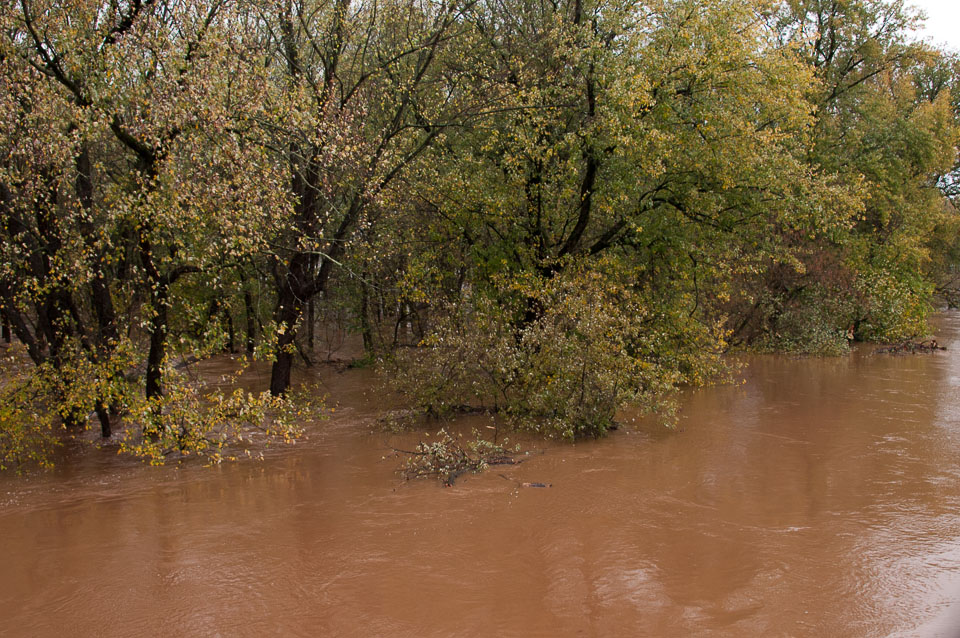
561,354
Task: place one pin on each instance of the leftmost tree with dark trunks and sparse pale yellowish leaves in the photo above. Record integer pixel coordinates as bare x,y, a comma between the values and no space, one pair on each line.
141,176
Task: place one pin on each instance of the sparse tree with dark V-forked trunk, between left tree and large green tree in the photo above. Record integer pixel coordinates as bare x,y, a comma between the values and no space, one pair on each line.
360,95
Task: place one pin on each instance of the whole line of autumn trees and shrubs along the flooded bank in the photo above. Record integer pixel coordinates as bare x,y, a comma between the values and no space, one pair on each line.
546,208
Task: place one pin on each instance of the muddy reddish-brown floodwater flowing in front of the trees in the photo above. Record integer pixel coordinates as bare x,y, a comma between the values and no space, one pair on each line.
819,498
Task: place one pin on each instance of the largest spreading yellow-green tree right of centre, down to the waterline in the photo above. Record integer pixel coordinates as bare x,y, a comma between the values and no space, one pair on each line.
651,145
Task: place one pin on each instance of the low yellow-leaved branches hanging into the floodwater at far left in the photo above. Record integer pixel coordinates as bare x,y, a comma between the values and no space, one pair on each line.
190,419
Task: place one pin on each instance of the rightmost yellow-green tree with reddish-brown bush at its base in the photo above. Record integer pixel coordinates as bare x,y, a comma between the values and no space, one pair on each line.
884,134
